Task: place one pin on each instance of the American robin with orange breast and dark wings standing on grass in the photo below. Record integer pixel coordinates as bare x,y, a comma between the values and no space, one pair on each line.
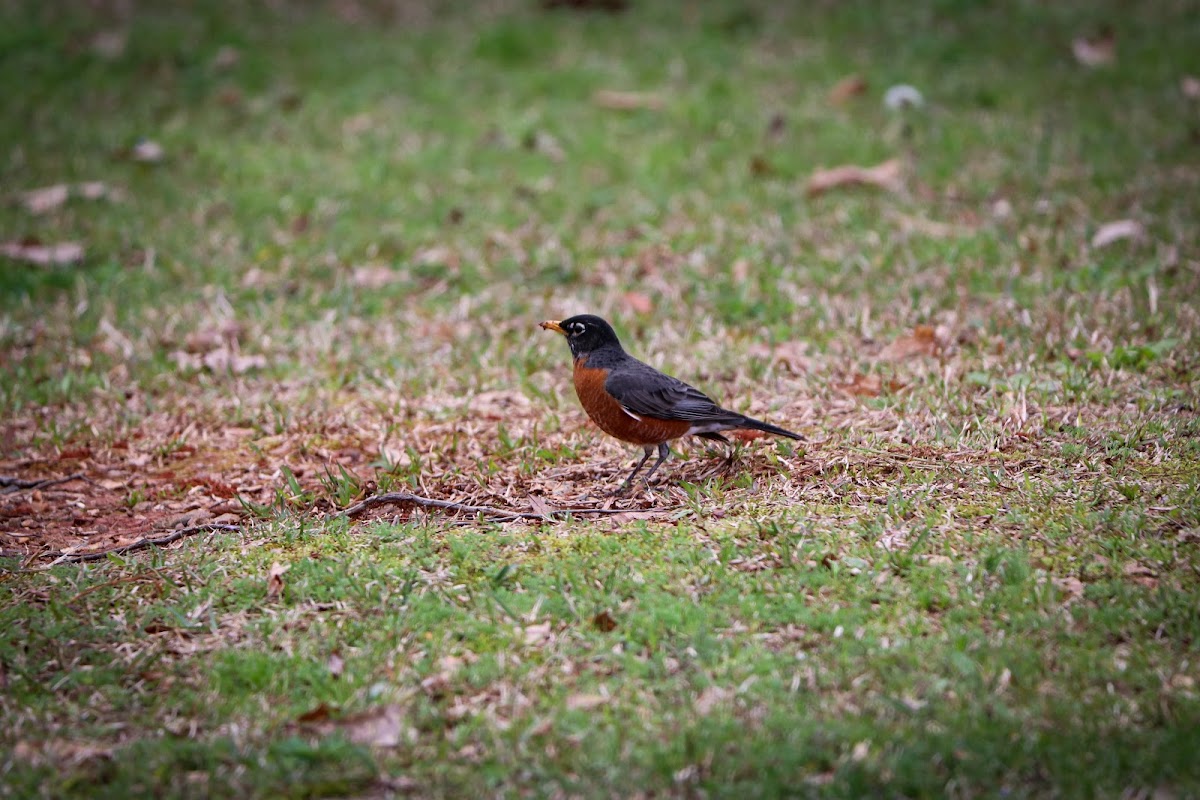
635,402
